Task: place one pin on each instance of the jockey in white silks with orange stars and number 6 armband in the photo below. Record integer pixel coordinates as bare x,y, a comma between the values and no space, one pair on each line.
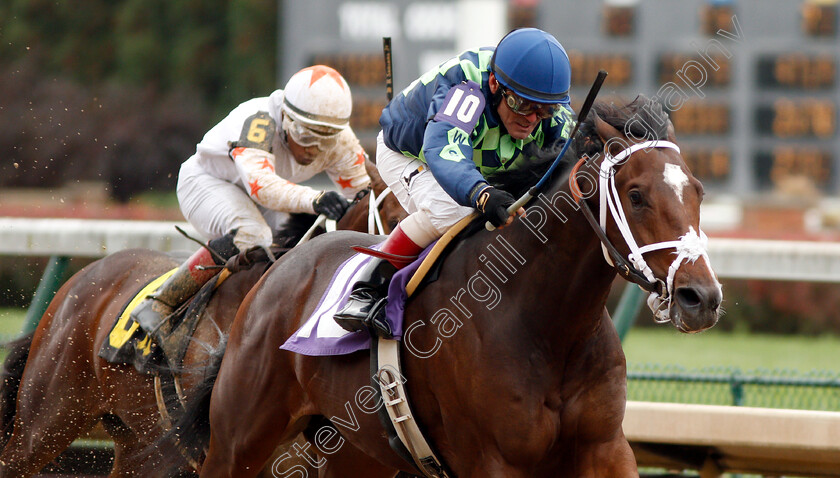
240,184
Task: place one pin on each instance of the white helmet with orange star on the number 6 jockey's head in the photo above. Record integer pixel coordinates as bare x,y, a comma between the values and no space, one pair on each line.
316,102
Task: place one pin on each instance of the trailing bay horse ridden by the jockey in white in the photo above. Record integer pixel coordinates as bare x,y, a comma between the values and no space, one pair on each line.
56,388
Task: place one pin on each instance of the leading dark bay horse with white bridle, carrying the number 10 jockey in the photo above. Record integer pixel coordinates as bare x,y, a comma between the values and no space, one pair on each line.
522,374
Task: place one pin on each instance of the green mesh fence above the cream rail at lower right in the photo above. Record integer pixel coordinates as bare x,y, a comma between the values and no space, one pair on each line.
816,390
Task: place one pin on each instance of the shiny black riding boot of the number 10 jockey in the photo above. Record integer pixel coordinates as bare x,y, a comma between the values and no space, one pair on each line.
365,308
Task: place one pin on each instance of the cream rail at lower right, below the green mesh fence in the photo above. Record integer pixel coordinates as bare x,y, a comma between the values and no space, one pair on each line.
716,439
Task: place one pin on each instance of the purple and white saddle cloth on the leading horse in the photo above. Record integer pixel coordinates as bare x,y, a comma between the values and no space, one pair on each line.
321,335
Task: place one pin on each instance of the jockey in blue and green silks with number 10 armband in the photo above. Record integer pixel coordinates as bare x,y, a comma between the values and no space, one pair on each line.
476,116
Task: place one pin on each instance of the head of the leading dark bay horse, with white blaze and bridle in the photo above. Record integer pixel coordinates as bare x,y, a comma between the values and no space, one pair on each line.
648,202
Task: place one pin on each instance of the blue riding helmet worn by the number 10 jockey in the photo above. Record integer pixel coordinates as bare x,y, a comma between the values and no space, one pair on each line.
534,65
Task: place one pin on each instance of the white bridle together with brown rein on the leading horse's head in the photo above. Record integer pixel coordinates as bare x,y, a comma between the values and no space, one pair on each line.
690,246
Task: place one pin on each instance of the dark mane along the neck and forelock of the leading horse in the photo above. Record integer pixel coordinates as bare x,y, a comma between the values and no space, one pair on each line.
642,118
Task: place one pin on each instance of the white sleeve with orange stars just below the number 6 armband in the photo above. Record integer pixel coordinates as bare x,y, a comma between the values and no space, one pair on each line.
266,188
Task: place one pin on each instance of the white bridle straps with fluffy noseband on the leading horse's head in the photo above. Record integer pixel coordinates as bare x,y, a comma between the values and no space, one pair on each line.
689,247
